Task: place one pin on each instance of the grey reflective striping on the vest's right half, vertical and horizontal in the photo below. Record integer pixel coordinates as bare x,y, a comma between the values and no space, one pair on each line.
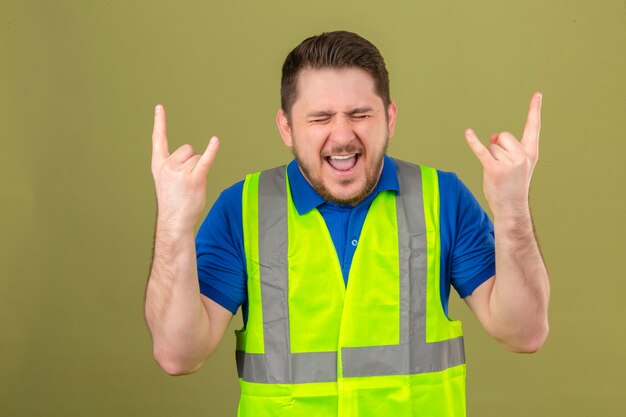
413,355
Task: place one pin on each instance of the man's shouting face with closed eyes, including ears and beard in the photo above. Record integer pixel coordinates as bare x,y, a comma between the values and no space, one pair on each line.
338,132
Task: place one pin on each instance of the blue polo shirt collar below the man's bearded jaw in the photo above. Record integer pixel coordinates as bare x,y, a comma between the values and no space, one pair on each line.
306,198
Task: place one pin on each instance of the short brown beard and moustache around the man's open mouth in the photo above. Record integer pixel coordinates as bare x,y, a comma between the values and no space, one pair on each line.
372,176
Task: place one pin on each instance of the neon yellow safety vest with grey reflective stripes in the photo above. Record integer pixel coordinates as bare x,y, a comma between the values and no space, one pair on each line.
380,346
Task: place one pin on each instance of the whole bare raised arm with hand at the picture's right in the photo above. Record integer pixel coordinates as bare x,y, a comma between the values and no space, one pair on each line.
513,305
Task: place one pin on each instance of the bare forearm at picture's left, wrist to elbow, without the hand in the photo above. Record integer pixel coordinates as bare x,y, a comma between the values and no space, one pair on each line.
177,320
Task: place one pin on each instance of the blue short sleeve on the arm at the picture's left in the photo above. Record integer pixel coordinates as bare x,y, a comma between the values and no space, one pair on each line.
219,251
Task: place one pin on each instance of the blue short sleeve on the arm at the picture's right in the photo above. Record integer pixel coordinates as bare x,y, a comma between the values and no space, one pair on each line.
472,249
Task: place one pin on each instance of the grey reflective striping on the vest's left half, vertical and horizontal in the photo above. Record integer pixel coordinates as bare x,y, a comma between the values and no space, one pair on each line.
277,365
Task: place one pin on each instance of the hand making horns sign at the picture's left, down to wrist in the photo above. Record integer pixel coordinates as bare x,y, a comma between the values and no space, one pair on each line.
179,178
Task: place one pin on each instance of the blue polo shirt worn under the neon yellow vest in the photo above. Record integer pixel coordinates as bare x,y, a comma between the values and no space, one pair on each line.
467,243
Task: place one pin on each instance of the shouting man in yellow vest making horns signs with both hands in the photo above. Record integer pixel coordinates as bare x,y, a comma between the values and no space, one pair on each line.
342,260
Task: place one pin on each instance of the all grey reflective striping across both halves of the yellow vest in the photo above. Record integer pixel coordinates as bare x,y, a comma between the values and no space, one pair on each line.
413,355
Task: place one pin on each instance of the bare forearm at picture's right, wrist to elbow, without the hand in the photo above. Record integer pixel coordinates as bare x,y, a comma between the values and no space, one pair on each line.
520,294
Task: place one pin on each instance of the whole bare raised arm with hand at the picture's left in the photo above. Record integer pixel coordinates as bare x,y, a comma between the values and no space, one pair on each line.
186,327
